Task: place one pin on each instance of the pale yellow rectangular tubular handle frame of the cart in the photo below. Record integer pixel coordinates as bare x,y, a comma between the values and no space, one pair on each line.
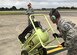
49,27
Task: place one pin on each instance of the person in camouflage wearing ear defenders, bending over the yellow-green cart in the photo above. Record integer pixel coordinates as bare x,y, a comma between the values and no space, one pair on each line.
68,31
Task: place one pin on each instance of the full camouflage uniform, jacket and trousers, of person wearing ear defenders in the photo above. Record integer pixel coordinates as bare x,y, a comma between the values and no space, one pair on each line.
69,34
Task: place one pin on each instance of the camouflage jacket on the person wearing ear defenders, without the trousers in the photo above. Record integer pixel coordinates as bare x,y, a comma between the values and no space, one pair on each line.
68,30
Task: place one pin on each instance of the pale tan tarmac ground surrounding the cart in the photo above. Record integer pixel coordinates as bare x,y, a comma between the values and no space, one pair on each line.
12,25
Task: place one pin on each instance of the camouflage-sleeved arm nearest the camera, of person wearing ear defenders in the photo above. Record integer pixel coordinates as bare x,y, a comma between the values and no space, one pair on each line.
70,32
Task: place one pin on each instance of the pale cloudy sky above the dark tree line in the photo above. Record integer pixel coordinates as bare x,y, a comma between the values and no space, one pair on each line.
38,3
